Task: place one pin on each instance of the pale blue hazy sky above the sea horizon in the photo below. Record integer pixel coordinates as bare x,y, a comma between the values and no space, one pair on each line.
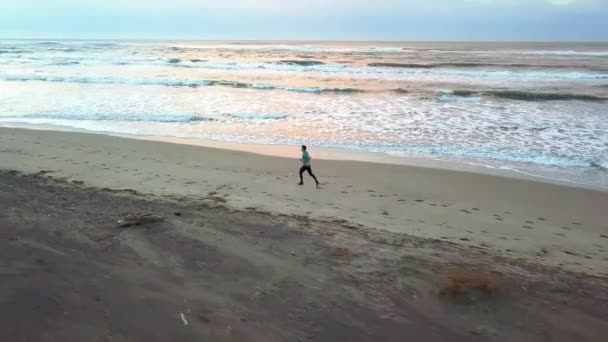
514,20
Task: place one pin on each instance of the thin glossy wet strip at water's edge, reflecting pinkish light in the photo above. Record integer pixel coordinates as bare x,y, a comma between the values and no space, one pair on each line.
331,154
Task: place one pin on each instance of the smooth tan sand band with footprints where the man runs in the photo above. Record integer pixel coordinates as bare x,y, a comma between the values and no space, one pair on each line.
547,223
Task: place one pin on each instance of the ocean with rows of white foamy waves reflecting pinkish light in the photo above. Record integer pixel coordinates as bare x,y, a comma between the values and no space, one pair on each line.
535,108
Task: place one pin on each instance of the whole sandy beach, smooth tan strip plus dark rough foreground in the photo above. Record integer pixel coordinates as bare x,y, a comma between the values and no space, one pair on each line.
241,252
